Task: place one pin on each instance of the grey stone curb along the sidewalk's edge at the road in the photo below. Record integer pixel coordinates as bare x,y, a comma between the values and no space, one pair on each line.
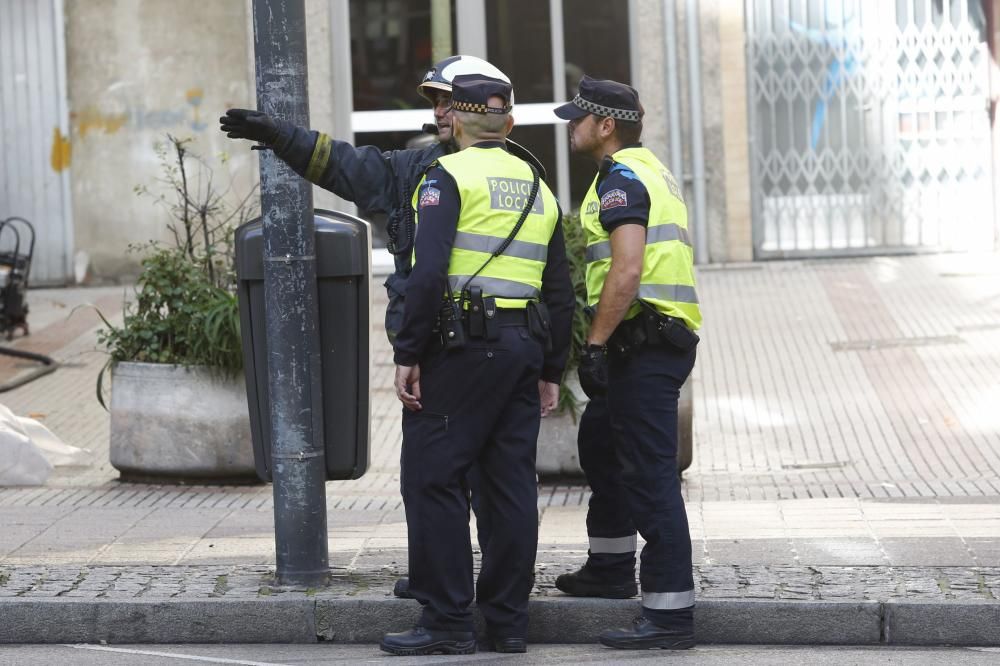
553,620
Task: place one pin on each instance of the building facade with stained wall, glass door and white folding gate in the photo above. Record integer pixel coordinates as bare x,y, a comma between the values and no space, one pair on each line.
800,128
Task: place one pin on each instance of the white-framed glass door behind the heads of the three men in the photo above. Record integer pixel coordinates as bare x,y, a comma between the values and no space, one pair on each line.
543,49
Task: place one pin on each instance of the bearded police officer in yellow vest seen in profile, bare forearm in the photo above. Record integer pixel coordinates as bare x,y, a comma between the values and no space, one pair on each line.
640,350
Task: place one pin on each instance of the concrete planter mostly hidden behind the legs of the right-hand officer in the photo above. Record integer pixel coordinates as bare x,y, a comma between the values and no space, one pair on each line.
557,451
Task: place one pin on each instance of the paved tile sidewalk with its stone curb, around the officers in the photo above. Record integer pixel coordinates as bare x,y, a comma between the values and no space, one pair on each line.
845,489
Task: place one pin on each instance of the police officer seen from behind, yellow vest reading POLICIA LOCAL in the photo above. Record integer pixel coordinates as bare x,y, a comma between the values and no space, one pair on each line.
479,356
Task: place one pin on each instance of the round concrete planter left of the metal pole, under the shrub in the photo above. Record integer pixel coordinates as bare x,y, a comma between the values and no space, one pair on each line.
175,424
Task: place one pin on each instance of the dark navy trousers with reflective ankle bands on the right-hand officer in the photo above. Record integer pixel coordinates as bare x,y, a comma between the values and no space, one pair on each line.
628,450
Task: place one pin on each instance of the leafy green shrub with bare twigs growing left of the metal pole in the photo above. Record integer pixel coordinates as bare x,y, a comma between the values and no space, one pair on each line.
185,310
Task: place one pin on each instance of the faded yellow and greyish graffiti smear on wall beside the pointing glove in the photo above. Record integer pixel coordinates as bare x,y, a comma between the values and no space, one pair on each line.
136,116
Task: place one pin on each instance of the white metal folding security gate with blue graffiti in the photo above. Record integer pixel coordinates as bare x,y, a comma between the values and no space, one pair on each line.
869,124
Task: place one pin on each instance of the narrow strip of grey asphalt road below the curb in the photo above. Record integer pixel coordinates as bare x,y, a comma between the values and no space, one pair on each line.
275,655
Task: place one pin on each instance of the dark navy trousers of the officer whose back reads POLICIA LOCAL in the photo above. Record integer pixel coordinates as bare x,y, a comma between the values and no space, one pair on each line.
480,405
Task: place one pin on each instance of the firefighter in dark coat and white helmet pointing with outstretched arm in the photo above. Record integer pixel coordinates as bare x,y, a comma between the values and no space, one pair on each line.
377,181
